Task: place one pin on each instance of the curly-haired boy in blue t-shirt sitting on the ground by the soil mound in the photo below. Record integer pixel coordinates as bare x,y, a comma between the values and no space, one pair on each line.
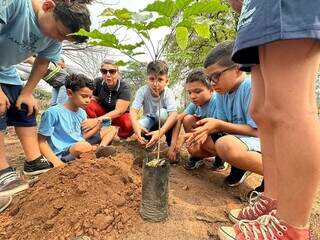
60,136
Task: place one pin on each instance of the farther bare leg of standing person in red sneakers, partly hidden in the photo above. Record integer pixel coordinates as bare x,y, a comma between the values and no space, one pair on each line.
266,133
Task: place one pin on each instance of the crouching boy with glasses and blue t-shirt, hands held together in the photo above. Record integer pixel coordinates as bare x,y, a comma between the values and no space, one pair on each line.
241,147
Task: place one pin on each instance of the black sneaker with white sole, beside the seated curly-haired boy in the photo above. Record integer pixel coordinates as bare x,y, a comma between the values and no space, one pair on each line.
36,167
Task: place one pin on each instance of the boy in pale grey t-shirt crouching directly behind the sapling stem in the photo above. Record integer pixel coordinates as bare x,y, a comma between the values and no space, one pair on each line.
148,97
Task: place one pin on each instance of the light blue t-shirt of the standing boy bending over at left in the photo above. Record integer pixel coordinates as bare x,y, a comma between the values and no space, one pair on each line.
20,38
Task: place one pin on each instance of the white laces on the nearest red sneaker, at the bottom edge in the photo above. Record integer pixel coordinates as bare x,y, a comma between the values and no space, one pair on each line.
264,226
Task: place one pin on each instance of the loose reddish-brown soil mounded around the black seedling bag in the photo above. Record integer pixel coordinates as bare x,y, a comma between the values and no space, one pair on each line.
101,198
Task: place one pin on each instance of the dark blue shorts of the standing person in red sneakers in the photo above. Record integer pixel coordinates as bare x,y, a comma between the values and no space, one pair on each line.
266,21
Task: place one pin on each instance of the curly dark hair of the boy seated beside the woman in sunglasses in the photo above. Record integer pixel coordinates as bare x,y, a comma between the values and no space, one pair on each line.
75,82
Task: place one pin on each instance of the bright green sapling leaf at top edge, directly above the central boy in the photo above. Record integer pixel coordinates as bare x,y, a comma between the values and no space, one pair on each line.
163,8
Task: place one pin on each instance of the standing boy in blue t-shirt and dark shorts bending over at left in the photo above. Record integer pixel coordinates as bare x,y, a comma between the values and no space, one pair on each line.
29,27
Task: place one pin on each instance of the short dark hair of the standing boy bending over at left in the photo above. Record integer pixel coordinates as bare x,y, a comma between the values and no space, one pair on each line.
74,15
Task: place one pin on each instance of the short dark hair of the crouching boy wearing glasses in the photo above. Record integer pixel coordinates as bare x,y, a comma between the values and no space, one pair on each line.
221,55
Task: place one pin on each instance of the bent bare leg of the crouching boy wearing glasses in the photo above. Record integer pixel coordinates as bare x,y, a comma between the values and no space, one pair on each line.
235,152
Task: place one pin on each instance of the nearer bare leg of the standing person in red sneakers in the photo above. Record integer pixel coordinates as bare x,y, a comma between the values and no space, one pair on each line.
289,69
